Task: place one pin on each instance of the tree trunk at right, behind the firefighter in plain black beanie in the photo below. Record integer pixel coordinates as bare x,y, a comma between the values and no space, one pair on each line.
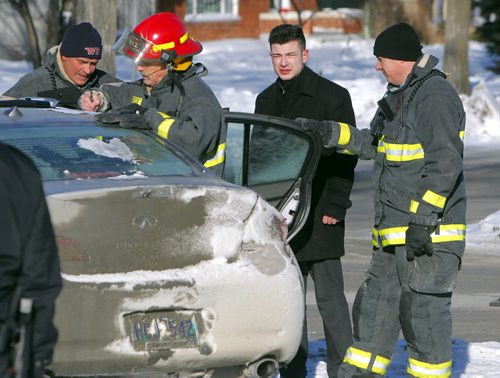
456,48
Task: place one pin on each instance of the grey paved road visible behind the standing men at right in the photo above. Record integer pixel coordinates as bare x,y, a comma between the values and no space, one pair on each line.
479,280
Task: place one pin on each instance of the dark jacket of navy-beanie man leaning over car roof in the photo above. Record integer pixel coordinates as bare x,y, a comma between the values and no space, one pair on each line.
52,77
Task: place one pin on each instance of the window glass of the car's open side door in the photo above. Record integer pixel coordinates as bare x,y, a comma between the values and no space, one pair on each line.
270,154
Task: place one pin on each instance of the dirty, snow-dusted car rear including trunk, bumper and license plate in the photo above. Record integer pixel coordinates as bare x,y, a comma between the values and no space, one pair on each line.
137,259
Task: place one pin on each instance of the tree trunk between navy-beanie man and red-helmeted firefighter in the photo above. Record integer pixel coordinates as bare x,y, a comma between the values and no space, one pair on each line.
103,15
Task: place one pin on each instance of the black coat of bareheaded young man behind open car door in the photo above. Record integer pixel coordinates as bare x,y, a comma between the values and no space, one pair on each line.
311,96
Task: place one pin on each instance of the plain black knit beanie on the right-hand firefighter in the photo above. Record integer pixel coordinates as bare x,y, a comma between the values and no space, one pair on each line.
399,42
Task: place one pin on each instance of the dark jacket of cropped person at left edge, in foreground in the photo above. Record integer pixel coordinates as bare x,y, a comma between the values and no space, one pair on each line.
28,255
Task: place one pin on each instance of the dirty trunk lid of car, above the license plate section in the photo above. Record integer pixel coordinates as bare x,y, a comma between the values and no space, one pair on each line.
161,227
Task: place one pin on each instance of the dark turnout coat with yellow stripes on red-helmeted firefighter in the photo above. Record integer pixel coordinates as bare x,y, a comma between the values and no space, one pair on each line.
190,117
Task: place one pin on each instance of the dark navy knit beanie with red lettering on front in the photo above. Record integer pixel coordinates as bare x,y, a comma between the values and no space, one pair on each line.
82,41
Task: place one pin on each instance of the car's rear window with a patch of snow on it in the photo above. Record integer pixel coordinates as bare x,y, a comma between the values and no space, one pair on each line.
94,152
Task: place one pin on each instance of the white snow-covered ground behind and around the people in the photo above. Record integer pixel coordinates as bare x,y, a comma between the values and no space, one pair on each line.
240,69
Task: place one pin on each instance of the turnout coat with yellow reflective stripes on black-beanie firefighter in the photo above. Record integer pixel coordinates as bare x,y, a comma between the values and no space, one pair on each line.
416,141
